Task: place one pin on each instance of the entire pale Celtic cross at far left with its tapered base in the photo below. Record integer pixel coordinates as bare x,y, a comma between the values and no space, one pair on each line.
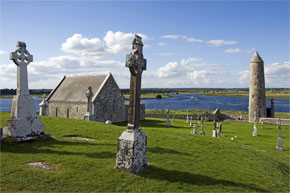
24,125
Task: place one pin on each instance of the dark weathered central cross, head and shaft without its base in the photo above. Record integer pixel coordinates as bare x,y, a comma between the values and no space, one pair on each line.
136,63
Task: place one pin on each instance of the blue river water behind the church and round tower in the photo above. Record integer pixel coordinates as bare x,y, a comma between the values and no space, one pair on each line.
183,102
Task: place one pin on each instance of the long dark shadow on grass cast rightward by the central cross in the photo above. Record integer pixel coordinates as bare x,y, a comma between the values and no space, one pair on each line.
194,179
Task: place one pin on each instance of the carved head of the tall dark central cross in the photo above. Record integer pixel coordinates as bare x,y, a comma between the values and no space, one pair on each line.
135,60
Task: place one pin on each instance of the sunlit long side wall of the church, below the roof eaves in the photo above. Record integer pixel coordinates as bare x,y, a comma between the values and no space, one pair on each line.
71,110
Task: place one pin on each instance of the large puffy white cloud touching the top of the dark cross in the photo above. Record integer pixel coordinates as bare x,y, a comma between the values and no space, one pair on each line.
113,43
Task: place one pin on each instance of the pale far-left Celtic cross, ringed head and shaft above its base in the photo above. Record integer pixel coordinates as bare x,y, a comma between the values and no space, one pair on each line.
21,57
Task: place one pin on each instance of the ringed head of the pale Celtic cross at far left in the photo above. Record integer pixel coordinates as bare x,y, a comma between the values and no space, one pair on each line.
21,55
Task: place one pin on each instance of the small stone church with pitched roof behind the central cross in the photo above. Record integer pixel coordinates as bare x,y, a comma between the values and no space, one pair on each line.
94,98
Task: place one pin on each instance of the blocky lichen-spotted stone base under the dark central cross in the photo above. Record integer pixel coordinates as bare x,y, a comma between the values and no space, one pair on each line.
132,151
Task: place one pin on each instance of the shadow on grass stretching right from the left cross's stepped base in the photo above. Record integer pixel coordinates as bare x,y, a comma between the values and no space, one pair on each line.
51,146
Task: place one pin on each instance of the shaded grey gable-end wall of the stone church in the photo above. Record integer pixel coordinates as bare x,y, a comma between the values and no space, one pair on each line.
110,103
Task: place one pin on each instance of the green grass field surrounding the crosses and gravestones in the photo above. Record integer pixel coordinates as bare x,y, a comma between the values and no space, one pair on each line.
179,161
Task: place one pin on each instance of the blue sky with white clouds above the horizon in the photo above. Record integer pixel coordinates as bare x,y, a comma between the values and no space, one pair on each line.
187,44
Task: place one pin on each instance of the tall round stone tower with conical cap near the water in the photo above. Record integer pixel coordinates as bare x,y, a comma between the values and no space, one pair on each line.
257,97
